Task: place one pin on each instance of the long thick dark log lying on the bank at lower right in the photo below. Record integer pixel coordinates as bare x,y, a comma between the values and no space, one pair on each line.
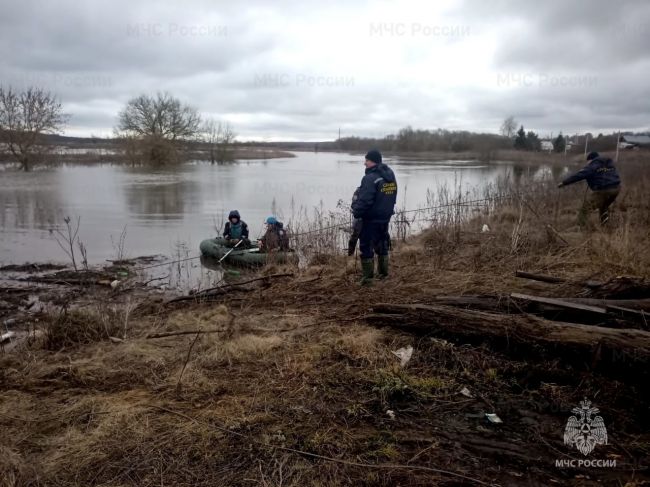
623,353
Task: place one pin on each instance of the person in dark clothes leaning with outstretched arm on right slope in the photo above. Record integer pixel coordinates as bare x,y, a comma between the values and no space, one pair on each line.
603,181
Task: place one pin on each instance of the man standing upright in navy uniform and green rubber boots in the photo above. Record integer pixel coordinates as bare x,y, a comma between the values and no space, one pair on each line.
375,204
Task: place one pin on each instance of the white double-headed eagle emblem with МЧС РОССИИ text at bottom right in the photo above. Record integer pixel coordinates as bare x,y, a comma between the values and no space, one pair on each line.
584,430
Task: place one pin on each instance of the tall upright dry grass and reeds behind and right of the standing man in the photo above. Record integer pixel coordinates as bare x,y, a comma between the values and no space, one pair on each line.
527,207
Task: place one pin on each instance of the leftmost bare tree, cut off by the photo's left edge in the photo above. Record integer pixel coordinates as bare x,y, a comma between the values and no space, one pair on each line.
25,117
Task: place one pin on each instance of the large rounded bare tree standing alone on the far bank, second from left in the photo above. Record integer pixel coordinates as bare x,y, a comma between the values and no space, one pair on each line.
160,124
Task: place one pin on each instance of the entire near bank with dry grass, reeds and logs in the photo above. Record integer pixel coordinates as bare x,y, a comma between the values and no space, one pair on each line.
298,376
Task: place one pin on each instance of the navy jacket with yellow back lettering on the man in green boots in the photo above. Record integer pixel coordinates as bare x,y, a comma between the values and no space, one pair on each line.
377,195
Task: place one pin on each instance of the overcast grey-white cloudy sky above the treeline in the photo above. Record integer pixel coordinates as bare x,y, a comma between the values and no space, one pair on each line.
300,70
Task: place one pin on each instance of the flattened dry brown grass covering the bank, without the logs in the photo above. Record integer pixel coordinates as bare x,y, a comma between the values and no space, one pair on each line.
296,368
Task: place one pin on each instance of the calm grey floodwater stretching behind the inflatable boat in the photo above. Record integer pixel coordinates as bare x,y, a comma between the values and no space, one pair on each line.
169,211
